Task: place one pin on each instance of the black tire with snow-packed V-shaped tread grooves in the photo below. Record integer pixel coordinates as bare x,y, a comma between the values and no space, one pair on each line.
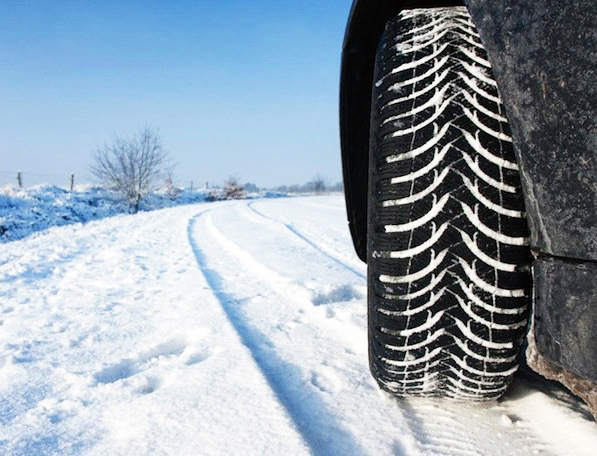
448,257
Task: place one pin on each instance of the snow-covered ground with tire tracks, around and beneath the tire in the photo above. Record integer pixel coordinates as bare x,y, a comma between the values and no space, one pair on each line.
225,328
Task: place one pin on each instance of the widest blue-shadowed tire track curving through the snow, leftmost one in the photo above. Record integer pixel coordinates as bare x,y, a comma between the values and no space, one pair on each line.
281,376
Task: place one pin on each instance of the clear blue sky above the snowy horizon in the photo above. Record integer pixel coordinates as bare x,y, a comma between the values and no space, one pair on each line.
234,87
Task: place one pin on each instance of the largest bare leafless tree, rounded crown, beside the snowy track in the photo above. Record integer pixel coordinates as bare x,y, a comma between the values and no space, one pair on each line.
131,167
